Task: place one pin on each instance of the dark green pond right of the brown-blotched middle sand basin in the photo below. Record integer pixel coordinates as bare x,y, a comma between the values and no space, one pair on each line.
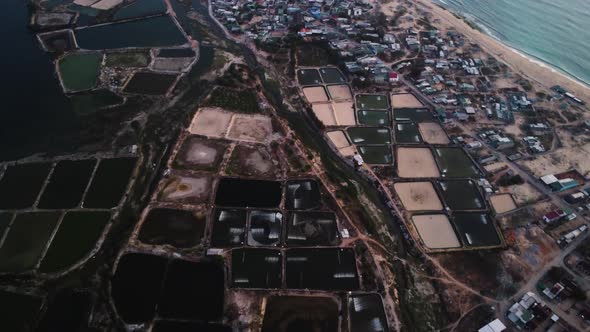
461,195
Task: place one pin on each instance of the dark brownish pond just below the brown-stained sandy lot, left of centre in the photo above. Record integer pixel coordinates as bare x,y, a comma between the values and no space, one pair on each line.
178,228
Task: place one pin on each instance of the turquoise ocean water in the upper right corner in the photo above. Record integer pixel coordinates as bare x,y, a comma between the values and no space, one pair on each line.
556,32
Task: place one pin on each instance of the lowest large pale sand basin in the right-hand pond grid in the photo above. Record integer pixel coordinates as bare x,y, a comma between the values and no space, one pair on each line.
436,231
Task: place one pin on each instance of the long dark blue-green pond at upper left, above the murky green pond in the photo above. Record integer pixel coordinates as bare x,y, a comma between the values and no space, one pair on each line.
151,32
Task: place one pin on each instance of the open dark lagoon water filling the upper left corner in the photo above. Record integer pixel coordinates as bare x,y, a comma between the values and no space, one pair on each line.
34,110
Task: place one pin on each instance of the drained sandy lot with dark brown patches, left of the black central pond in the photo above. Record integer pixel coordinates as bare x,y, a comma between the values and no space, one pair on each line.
193,189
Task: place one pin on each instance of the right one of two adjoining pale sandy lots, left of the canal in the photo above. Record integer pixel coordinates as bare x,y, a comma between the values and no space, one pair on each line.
254,128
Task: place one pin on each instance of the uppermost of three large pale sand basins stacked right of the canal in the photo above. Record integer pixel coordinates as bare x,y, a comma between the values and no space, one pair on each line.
416,163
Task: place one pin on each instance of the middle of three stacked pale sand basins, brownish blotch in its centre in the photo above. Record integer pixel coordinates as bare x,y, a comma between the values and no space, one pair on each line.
418,196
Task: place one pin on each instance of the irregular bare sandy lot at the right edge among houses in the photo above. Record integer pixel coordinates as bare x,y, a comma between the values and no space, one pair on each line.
560,161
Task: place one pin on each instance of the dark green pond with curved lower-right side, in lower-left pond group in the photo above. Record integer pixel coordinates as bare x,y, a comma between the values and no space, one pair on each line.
76,236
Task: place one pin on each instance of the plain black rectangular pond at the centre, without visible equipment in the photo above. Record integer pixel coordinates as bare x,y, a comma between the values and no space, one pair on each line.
248,193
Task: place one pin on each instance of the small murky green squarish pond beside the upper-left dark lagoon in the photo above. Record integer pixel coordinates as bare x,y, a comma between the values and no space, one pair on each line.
79,71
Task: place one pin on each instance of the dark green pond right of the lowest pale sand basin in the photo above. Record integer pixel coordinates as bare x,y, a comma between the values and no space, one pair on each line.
476,229
